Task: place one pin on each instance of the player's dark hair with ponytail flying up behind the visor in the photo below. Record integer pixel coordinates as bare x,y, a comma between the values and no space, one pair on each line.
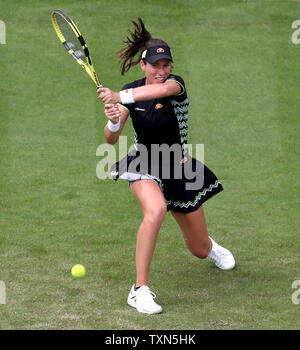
138,41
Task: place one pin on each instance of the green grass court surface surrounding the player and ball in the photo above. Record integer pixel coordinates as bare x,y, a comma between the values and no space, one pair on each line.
242,72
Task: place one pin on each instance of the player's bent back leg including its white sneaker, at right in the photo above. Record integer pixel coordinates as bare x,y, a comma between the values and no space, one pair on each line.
193,226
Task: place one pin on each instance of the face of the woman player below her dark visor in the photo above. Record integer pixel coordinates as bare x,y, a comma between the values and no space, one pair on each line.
157,72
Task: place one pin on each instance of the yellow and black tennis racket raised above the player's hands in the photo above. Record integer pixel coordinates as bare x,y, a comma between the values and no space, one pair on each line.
73,42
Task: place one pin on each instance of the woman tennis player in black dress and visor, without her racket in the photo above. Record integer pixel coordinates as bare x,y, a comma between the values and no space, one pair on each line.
158,107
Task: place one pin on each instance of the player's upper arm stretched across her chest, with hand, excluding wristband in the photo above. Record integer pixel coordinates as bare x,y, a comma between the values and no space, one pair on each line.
143,93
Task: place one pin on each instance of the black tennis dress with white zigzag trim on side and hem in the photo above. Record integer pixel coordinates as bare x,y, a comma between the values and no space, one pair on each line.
161,152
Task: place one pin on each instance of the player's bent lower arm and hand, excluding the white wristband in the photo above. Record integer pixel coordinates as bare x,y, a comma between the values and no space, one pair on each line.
114,114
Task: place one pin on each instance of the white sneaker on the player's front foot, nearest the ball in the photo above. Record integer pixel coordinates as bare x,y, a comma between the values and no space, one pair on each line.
143,300
